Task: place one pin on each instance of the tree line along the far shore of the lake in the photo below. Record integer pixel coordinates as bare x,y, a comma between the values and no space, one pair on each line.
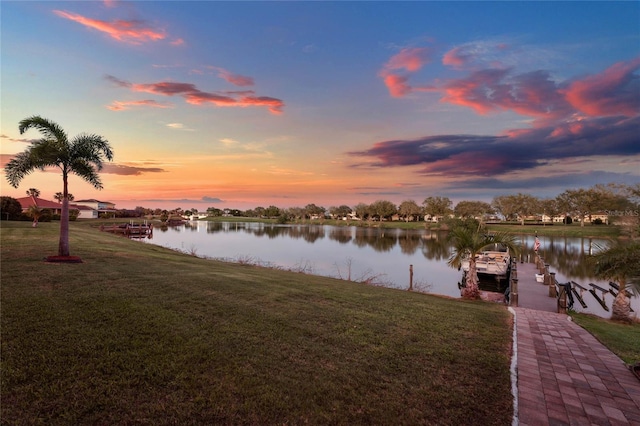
617,201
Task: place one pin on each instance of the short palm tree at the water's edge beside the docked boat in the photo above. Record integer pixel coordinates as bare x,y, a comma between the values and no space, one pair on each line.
468,241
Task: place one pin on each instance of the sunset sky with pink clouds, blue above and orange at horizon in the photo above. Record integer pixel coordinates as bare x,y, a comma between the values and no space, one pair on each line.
245,104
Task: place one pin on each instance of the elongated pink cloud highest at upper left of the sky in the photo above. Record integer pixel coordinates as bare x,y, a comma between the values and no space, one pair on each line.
130,31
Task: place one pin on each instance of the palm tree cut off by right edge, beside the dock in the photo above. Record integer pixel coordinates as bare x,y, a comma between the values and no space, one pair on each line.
620,262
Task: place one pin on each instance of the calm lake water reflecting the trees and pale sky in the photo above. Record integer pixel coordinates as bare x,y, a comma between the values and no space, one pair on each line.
383,256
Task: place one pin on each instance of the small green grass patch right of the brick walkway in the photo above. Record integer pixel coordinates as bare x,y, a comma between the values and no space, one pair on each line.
621,339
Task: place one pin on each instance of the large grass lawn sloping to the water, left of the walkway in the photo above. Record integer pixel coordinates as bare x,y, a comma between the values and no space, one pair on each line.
139,334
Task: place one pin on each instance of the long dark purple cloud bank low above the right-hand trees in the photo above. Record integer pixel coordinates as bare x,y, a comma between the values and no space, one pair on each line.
514,150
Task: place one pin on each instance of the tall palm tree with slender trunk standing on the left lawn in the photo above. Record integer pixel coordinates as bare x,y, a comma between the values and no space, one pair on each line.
83,156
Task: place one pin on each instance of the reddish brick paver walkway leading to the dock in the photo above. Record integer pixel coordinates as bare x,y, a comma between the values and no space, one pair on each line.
566,377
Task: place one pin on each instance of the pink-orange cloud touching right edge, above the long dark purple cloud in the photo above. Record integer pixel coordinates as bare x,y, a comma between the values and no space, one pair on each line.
612,92
